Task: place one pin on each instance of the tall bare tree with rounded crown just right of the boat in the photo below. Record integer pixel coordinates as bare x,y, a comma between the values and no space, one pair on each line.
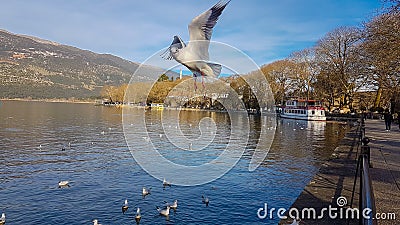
338,57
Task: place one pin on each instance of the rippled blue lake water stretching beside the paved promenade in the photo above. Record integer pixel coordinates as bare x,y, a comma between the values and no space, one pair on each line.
103,173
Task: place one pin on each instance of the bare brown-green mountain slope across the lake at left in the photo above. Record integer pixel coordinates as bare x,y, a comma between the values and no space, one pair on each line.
36,68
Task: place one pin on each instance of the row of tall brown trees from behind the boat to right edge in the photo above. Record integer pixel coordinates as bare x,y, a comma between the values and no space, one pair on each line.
344,63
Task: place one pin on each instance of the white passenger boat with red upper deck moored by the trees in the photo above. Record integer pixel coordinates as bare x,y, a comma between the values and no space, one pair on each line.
302,109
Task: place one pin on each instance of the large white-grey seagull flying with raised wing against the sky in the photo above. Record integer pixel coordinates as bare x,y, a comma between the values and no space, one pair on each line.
194,55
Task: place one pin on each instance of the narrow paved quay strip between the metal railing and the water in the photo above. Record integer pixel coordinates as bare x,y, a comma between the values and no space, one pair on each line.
333,180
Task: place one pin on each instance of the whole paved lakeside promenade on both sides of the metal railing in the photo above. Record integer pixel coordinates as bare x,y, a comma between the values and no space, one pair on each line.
336,177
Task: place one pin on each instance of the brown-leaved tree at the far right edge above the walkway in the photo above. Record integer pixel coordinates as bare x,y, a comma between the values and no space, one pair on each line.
382,49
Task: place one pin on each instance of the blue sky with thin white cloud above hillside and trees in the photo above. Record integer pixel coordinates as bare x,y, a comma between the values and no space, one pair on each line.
265,30
